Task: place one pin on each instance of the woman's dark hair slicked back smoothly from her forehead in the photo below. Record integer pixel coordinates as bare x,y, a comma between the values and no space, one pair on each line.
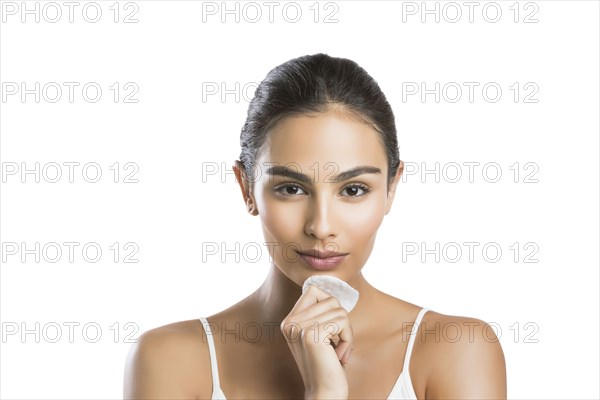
314,84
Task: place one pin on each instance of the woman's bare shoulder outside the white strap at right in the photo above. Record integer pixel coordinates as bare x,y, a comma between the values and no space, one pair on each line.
463,356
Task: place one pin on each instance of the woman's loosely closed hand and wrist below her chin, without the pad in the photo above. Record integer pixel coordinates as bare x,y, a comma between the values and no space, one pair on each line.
309,330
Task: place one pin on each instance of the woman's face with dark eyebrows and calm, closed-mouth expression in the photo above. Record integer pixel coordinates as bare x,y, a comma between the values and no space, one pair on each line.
316,210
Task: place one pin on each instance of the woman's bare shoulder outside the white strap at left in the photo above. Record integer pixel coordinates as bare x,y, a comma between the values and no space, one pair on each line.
169,362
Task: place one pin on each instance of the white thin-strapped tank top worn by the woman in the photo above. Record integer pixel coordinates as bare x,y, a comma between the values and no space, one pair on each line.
402,389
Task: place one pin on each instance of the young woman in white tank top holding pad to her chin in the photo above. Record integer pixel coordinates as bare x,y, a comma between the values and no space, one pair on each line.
320,166
